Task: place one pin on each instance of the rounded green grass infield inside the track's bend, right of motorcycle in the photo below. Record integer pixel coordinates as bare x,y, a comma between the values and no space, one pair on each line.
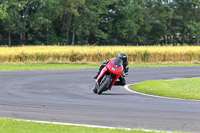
181,88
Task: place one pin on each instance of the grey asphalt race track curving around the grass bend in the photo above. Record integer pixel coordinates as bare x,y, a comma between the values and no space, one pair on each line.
66,96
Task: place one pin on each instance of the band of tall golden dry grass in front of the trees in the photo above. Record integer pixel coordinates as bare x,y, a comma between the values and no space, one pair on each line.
96,54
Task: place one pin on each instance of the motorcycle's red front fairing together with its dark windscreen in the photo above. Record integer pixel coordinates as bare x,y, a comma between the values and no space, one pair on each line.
115,66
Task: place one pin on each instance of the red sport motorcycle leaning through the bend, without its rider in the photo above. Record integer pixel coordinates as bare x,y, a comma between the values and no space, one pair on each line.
108,76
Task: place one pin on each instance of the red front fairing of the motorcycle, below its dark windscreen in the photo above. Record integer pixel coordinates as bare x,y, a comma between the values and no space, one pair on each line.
113,69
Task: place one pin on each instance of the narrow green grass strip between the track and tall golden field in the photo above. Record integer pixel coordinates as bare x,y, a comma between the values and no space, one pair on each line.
11,67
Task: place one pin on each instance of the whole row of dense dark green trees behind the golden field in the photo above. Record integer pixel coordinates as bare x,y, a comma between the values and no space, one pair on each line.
99,22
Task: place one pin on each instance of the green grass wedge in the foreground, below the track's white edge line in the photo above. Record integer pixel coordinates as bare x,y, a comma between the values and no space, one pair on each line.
15,126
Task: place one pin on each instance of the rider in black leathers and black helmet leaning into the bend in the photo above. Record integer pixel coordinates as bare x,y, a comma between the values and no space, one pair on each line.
122,80
